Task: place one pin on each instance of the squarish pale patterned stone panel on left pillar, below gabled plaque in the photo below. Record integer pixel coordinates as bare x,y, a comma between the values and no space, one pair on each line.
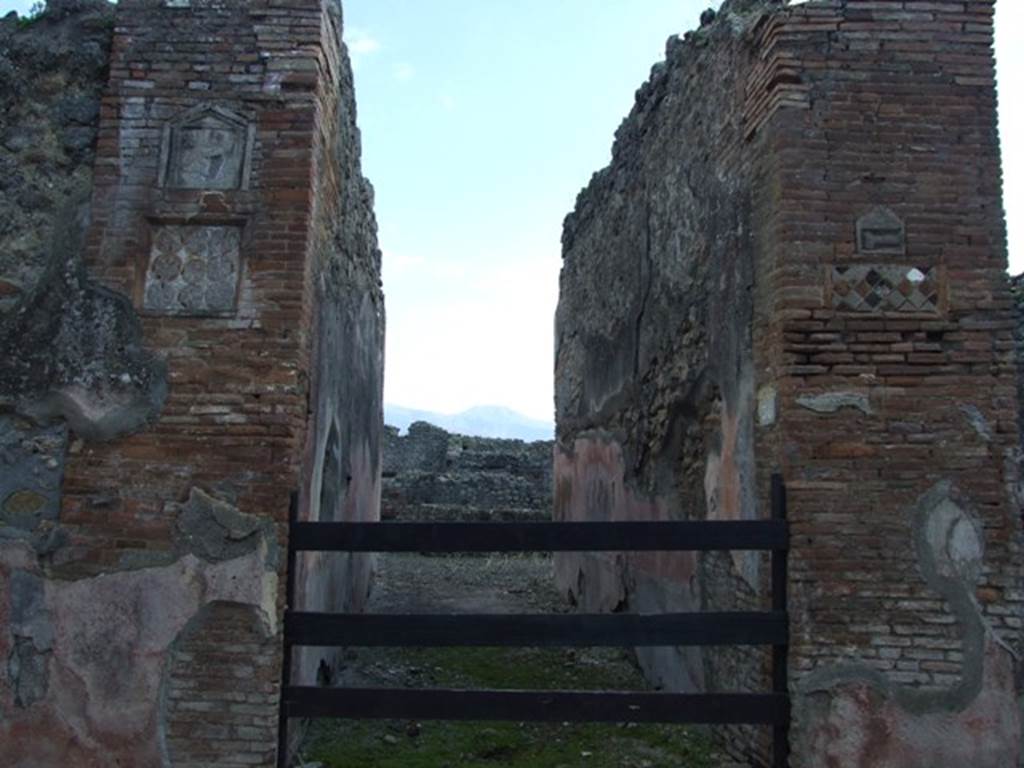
193,271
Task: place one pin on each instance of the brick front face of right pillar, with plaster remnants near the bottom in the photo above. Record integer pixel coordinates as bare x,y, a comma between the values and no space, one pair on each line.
891,344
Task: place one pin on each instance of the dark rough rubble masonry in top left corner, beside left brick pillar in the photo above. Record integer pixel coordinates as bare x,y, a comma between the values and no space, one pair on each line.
54,71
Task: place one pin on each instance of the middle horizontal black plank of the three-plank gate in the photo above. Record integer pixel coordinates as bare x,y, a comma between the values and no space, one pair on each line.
739,628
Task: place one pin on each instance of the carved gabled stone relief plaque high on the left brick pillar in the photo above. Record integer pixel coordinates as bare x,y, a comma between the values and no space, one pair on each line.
207,148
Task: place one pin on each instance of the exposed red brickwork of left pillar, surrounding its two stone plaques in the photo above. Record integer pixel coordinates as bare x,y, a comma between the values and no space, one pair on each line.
238,379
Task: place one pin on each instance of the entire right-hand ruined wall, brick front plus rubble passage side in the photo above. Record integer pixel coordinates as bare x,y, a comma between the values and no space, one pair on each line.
796,264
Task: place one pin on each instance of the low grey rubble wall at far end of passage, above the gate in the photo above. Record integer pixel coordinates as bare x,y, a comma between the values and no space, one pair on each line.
433,475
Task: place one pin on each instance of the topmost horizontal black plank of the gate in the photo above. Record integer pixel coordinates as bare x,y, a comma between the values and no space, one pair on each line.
694,536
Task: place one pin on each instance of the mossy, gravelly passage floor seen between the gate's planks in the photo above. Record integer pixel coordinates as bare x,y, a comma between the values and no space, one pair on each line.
416,584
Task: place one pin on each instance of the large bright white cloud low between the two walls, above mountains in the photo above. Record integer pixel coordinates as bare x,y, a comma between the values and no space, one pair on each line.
488,343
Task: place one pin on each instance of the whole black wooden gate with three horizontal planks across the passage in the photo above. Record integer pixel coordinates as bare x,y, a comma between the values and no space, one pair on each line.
628,630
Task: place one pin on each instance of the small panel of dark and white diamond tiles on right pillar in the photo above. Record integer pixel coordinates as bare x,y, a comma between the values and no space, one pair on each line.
890,288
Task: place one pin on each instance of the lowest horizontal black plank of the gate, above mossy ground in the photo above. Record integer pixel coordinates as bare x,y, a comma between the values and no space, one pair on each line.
577,707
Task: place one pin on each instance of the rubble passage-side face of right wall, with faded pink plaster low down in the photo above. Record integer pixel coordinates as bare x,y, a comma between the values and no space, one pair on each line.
655,369
